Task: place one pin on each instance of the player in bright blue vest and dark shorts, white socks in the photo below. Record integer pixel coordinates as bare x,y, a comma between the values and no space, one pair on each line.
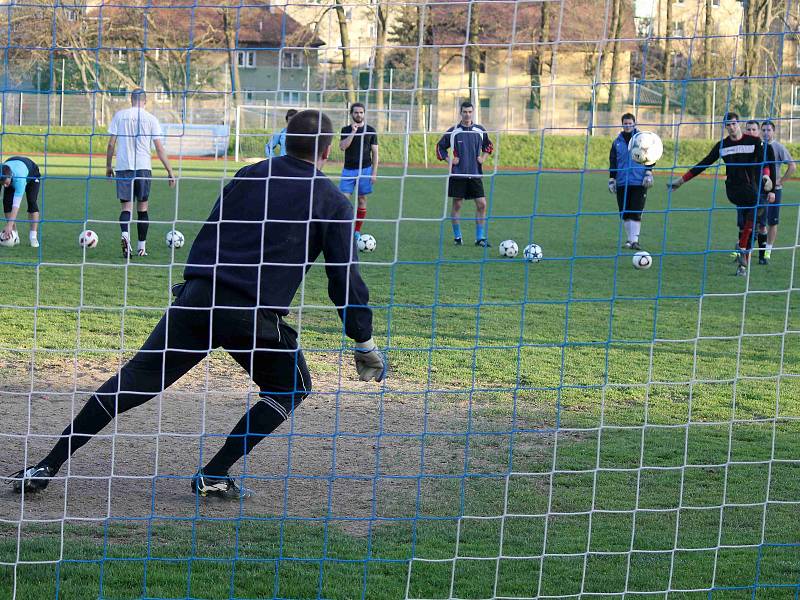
630,181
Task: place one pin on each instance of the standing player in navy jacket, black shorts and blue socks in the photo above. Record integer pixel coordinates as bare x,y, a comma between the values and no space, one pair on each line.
471,145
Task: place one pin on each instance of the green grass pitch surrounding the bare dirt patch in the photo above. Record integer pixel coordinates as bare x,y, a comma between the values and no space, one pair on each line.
623,432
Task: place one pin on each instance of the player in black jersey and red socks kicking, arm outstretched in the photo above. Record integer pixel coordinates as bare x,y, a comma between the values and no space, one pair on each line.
748,173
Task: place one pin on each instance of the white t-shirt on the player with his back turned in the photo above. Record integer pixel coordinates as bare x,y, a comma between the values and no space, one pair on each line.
135,129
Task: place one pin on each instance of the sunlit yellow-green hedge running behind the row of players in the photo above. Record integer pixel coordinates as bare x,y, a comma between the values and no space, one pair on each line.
511,151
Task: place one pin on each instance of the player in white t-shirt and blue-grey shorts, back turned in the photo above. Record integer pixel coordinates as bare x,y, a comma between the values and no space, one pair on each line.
133,131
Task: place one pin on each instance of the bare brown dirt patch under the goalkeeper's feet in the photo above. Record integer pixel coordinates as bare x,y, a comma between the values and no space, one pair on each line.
352,452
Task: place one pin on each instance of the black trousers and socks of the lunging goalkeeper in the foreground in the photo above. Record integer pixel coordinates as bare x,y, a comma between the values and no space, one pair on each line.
258,339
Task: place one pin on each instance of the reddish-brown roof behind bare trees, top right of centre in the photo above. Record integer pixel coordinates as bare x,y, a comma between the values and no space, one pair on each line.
506,22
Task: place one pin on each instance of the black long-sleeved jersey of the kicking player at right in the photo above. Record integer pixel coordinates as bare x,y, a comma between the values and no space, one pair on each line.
745,161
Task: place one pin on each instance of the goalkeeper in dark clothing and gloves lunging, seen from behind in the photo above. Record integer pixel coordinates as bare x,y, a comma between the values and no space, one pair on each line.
242,273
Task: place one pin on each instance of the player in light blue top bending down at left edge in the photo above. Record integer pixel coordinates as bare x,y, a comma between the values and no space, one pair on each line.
20,176
